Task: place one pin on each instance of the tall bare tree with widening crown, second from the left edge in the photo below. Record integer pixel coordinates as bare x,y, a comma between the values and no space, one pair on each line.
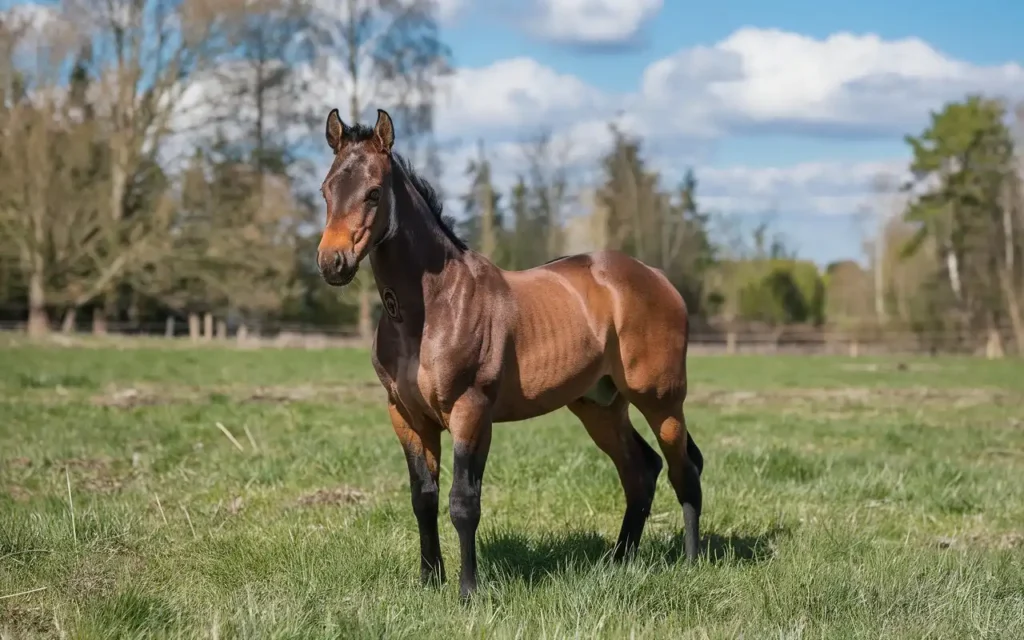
145,55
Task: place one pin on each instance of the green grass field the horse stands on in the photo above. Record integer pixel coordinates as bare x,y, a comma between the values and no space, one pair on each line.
843,498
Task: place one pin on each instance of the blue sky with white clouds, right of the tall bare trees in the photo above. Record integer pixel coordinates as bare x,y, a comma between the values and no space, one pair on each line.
786,109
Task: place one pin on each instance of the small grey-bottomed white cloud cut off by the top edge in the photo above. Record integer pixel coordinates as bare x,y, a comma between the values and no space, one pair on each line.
592,22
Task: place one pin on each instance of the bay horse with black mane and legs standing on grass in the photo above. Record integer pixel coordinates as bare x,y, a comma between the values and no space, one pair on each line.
463,345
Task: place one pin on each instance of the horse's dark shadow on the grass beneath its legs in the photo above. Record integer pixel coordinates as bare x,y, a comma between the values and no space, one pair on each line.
518,557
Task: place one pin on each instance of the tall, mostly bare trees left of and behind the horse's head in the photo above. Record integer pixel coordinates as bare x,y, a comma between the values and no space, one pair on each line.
156,155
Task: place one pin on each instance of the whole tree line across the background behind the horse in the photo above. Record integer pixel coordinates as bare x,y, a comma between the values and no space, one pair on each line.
158,161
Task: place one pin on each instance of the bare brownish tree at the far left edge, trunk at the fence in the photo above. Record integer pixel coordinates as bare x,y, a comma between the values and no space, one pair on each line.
48,210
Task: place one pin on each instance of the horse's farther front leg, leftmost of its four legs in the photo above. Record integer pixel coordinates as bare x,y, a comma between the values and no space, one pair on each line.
422,444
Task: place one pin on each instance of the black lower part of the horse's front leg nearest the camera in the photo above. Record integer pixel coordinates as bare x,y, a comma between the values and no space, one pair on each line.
464,503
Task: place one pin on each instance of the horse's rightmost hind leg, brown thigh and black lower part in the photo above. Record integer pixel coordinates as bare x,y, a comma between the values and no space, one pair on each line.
666,419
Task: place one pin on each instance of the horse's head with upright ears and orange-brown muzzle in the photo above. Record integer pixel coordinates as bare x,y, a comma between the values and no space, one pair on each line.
359,196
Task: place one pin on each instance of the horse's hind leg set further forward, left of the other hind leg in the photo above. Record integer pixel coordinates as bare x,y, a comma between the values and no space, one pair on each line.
637,463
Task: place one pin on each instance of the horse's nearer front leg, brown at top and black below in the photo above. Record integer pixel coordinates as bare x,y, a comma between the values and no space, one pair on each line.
471,428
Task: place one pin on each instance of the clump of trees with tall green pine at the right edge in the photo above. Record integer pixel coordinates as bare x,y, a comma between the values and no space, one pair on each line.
947,254
